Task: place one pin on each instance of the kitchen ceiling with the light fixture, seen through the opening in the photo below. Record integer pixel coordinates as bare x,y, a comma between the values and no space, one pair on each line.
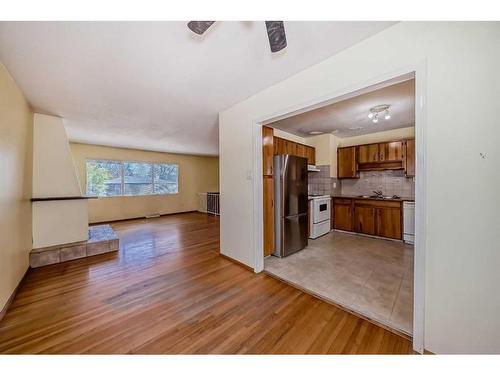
349,117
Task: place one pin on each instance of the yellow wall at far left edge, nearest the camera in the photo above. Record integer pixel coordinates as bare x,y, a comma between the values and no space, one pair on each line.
16,144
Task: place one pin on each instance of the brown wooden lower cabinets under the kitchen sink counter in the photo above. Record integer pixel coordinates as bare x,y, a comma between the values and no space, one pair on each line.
372,217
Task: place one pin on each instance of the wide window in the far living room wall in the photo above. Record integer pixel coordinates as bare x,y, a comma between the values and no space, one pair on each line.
107,178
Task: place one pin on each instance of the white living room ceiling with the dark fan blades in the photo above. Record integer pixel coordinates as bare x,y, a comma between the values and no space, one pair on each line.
156,85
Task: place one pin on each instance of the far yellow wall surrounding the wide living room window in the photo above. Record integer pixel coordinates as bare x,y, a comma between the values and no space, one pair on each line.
196,174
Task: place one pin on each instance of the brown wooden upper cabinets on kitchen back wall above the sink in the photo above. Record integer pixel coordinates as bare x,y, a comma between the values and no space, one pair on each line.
376,157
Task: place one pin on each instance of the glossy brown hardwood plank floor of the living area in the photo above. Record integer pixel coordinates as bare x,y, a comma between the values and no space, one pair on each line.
168,291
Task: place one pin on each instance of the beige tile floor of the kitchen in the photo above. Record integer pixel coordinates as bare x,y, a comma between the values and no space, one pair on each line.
370,276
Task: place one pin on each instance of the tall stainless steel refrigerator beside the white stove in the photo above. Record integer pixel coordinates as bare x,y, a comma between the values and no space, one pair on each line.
290,208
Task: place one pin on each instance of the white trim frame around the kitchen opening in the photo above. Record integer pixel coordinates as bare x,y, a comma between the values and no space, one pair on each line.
420,71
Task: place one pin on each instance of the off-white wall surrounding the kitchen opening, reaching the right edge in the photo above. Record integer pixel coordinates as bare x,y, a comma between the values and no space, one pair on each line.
462,303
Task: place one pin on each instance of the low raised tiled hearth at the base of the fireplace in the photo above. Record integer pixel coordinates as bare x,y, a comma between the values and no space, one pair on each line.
102,239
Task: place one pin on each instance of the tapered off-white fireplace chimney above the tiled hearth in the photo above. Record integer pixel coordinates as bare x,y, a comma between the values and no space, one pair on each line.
54,175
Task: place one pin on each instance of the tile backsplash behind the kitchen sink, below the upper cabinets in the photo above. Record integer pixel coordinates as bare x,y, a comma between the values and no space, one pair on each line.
390,182
